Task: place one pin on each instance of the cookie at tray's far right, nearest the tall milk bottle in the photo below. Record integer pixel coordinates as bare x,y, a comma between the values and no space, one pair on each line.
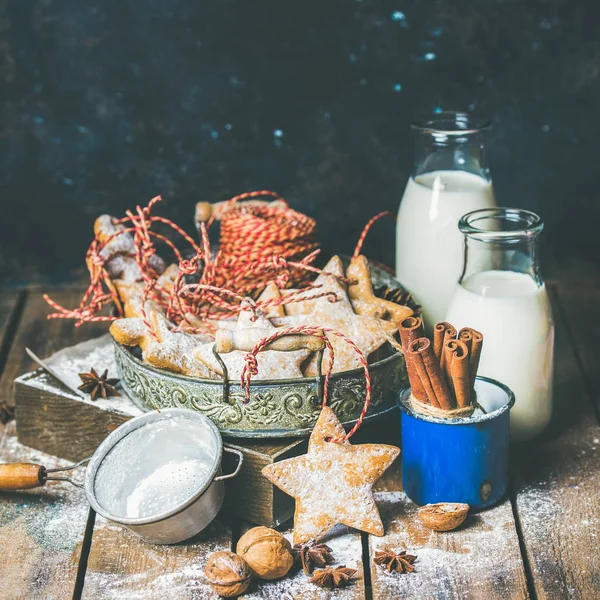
364,300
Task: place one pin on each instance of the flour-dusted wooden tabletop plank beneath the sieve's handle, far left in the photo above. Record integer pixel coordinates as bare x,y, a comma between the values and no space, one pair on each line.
41,531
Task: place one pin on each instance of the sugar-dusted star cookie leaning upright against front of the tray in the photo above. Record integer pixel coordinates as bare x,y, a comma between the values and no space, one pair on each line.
333,482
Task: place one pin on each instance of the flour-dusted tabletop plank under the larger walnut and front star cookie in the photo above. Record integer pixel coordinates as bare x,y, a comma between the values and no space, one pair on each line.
347,550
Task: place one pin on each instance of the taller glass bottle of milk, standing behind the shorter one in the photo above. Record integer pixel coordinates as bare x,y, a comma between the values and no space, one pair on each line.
450,178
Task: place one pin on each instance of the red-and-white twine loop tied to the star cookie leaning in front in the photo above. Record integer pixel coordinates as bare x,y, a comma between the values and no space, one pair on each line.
251,366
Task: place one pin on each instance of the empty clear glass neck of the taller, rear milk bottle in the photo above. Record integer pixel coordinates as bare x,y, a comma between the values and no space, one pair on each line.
450,142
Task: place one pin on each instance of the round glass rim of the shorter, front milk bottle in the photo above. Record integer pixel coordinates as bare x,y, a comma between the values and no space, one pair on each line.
499,224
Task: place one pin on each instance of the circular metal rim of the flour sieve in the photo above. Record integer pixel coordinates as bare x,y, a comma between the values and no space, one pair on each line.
124,430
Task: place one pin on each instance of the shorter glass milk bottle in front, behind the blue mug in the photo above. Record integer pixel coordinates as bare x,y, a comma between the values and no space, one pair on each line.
502,295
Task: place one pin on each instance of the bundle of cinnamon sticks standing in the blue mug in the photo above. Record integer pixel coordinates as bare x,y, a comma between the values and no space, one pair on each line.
441,374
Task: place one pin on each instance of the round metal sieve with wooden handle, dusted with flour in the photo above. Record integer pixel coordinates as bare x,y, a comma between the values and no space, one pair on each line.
158,474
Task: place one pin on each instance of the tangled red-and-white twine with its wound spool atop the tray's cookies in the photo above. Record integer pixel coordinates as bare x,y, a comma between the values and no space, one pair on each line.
258,244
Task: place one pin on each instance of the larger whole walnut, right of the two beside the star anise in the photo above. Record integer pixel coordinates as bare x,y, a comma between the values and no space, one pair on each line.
267,551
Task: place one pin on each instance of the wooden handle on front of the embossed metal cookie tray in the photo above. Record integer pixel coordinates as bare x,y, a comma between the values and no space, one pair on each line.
229,340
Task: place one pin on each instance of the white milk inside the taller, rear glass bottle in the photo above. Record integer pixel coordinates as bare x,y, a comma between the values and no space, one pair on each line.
429,246
